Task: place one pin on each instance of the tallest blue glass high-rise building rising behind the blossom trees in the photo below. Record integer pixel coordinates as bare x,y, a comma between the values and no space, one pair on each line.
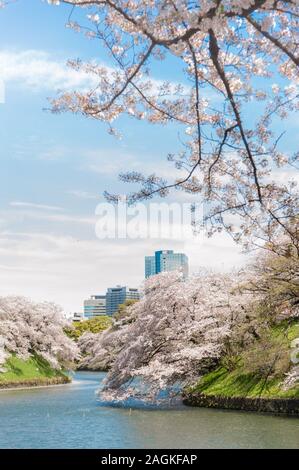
166,260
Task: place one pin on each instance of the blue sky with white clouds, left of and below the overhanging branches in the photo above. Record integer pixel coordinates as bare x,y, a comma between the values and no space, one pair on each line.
54,169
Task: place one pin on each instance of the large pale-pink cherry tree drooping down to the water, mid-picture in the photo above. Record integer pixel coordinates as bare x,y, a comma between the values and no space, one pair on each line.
176,332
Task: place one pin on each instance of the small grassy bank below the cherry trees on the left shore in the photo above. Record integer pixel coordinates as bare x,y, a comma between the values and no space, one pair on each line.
33,372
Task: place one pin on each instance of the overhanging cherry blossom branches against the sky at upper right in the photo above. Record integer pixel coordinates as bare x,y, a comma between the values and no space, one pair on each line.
240,58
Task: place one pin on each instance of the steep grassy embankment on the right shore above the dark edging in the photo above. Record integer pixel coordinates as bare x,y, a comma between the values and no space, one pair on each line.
240,383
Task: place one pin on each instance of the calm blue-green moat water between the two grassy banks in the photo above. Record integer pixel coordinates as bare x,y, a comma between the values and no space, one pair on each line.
71,417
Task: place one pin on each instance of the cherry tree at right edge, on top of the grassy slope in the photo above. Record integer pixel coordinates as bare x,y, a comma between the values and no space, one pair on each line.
274,282
